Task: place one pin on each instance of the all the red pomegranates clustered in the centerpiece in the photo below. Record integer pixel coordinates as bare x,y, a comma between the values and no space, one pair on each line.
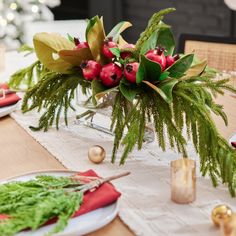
111,73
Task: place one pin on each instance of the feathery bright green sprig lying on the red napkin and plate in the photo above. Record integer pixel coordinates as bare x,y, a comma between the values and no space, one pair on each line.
31,204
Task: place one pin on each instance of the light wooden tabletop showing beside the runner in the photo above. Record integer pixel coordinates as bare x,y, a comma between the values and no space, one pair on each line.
20,153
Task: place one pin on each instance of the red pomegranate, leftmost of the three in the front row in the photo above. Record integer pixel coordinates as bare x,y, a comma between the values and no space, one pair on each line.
91,69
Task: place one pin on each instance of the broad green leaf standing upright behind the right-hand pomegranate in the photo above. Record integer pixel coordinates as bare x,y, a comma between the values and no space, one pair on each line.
162,36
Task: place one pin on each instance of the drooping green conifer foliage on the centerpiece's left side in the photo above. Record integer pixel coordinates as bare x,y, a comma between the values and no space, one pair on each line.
54,92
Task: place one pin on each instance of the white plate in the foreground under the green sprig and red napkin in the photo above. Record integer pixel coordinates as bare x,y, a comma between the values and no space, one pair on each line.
80,225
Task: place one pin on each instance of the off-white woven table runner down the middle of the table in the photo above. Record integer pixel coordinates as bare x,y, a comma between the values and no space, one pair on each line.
145,205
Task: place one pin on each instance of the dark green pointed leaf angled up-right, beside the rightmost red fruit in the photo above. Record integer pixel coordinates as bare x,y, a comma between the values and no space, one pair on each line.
178,69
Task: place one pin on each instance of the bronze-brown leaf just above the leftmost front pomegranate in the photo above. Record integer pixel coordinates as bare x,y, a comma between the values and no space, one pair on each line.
75,57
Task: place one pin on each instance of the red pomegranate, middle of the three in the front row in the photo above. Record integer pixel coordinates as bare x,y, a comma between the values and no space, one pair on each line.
110,75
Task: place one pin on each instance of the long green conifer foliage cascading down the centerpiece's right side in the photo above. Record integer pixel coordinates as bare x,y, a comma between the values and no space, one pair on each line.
191,109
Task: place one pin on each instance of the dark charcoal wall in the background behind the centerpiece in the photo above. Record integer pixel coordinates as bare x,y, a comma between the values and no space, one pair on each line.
205,17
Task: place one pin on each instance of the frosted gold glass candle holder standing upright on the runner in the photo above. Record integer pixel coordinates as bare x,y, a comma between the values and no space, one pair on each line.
183,181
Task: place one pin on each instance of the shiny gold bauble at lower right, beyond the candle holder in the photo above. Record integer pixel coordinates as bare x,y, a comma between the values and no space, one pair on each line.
221,214
